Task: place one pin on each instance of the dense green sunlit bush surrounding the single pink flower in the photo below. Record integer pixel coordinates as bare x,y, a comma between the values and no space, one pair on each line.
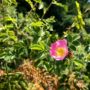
29,27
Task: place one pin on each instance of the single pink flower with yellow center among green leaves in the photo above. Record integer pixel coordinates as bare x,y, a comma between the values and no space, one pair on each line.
59,49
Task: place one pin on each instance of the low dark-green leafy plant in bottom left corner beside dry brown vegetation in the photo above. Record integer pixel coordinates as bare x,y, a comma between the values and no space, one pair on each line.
13,81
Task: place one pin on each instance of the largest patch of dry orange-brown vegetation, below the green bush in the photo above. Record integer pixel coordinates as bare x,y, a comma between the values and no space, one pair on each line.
42,80
